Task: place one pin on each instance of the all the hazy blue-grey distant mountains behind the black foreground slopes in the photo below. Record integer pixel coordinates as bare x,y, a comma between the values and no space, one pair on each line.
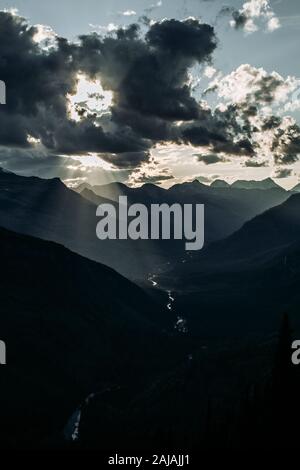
48,209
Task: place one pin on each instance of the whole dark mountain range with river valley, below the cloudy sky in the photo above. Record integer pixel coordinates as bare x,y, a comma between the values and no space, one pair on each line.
77,329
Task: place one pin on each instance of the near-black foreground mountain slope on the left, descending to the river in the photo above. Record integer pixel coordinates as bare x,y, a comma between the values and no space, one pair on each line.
71,326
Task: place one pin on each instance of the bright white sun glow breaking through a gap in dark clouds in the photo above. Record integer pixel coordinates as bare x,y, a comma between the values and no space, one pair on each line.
89,96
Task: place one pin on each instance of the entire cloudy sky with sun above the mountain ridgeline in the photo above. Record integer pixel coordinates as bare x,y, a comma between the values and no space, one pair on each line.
160,92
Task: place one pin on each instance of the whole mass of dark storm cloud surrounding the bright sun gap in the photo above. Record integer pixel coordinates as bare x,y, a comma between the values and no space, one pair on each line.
148,75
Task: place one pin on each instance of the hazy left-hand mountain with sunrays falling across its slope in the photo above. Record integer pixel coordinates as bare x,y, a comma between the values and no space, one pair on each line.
48,209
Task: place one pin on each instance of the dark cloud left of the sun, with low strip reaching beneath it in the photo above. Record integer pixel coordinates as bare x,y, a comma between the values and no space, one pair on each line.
38,82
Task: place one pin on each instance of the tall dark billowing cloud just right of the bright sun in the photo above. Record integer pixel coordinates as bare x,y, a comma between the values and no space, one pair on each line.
149,75
